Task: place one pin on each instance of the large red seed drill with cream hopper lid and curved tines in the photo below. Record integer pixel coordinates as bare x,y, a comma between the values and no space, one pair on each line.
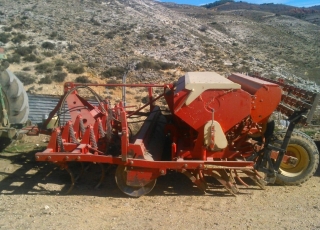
213,127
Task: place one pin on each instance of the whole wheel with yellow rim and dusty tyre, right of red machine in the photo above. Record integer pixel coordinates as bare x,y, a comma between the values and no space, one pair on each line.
302,147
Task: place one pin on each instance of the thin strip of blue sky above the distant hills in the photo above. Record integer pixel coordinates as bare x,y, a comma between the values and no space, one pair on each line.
299,3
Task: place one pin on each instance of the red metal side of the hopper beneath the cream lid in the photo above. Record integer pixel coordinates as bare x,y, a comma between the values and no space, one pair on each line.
230,107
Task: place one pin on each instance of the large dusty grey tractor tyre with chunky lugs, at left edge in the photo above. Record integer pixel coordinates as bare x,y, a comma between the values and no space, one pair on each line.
15,97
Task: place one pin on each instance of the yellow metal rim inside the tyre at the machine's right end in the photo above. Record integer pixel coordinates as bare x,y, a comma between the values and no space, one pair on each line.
302,158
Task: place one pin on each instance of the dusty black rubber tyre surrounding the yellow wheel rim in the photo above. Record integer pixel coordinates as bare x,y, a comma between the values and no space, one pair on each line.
302,139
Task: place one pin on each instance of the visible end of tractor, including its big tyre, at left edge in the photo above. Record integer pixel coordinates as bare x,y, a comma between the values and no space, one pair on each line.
14,106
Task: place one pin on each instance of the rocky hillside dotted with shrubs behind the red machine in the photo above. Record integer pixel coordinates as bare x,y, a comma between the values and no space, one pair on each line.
52,41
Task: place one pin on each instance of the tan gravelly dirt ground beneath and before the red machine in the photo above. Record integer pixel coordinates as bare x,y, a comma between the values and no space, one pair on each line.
30,199
